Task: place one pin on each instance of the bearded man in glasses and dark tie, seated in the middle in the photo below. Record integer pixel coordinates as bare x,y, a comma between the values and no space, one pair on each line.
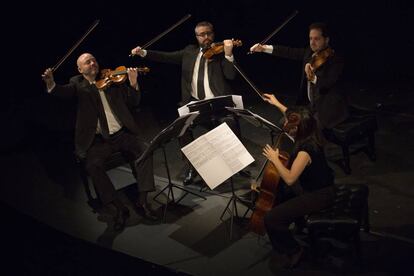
200,78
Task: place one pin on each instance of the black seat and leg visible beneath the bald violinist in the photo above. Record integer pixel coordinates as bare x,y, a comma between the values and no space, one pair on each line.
117,159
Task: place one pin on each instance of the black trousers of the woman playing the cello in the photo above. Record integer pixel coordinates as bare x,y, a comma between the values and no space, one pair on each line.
277,220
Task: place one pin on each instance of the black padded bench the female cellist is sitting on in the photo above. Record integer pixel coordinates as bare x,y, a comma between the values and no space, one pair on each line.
343,220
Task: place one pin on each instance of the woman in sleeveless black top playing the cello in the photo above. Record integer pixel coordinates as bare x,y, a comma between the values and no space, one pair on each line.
308,165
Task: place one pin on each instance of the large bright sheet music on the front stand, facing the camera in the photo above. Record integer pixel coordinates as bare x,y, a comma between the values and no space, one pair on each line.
217,155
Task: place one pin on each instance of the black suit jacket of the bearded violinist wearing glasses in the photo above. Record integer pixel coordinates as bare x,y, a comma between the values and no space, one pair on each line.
220,70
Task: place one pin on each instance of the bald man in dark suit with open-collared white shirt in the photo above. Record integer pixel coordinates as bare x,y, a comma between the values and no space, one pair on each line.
105,125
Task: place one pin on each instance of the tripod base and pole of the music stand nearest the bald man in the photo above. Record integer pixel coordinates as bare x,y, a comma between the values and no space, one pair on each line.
170,193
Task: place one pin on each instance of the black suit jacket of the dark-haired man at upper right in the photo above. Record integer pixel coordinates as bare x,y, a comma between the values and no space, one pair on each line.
329,101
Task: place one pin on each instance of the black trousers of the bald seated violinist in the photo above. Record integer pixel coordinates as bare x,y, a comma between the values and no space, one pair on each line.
132,148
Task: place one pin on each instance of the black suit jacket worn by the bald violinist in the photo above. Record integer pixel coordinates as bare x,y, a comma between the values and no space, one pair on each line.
120,97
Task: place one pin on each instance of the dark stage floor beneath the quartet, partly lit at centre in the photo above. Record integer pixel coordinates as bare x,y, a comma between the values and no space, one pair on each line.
43,182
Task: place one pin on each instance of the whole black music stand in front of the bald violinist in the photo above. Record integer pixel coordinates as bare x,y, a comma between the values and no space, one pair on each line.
174,130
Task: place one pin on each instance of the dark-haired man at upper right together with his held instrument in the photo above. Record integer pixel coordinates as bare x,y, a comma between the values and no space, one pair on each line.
322,70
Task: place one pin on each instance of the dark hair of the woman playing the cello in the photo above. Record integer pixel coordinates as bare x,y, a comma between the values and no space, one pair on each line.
307,126
